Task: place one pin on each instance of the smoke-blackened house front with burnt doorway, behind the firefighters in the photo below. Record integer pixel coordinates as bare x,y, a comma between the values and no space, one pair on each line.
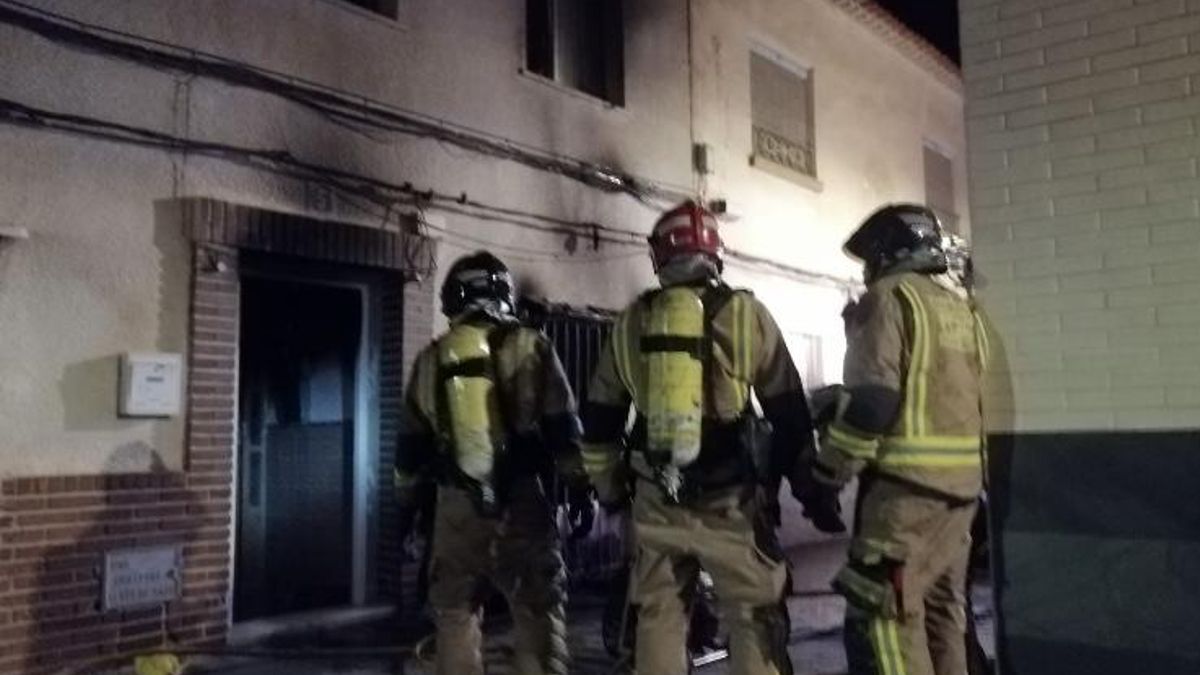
268,192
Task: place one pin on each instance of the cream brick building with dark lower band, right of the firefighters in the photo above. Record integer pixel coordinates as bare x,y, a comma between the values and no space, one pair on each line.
1083,156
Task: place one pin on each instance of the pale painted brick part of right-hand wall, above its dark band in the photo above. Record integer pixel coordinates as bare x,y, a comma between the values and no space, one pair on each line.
1084,186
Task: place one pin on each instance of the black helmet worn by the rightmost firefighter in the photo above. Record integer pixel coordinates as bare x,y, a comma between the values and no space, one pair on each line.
899,236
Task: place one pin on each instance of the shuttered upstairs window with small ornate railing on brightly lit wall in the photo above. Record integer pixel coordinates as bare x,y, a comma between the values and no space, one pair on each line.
782,115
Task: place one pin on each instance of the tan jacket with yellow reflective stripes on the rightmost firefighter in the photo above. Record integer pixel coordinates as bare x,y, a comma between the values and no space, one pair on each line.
914,375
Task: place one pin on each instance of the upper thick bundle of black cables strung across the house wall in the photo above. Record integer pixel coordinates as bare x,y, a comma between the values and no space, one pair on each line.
344,107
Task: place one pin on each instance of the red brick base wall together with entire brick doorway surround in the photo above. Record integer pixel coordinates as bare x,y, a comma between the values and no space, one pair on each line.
55,530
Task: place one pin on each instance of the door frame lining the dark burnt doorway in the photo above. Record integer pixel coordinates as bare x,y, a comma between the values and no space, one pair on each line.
367,411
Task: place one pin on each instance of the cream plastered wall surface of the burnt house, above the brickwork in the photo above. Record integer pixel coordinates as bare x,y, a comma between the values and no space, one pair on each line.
106,268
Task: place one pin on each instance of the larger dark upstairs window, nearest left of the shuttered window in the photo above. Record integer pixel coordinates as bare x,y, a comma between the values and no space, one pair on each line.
579,44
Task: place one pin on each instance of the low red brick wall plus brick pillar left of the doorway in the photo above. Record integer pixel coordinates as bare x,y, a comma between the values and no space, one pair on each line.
55,531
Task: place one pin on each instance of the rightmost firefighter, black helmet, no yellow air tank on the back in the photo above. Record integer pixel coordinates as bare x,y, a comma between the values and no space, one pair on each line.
910,426
